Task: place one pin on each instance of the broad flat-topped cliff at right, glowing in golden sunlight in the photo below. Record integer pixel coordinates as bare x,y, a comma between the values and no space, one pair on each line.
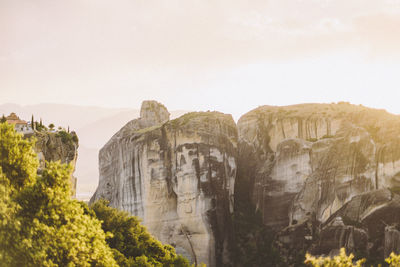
310,166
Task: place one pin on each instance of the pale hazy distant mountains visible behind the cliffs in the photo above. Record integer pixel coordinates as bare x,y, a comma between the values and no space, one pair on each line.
94,126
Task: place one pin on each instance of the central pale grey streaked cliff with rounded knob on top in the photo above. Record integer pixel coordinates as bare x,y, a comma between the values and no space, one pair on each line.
178,176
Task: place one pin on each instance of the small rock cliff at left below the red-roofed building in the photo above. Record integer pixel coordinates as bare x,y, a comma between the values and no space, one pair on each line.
57,147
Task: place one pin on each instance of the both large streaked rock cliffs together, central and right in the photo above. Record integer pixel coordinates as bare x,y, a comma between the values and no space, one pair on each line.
323,176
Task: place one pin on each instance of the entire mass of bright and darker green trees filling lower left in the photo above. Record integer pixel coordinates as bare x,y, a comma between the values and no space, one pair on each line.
40,225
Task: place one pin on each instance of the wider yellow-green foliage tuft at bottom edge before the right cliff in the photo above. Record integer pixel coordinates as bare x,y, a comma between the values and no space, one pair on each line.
342,260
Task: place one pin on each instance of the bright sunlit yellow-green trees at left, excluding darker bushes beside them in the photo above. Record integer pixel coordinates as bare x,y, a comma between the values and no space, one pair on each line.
40,225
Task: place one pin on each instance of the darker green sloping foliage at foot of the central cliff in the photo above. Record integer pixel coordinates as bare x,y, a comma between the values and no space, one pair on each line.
132,243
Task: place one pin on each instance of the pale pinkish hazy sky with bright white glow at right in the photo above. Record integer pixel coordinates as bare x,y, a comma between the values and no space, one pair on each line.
227,55
